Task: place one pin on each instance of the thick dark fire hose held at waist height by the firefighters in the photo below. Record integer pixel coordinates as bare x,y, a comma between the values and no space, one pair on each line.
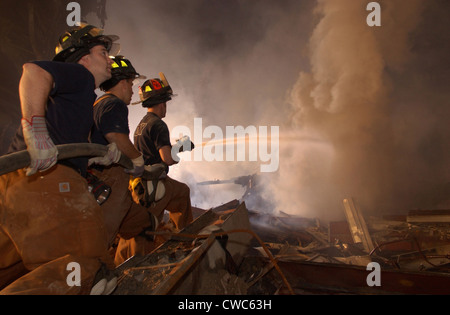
15,161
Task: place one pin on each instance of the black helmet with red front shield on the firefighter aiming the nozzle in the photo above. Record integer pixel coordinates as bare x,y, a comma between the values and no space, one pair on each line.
155,91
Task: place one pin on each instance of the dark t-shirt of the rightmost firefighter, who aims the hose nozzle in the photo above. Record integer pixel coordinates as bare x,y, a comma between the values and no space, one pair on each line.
150,136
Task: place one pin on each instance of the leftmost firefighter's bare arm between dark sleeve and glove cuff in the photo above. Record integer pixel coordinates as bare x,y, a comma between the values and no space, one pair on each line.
34,90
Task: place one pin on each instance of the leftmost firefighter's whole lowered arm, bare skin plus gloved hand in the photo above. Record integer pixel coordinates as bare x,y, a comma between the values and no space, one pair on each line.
34,90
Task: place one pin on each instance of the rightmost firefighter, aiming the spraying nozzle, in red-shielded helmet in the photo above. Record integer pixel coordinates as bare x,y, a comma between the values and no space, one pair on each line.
158,192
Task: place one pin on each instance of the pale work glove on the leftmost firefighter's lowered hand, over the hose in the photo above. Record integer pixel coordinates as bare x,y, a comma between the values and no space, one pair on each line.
42,150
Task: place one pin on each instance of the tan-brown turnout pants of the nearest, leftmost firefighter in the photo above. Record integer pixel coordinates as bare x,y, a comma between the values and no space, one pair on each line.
48,221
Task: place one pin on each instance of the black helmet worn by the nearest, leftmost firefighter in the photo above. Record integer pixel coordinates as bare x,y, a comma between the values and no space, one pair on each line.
77,42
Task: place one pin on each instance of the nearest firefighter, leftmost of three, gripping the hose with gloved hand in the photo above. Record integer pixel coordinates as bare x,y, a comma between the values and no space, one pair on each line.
49,222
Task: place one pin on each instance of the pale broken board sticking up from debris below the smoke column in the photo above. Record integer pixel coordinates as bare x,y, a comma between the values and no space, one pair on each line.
357,225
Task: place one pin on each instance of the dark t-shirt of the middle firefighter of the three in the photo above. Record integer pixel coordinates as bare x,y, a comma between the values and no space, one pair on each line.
110,115
